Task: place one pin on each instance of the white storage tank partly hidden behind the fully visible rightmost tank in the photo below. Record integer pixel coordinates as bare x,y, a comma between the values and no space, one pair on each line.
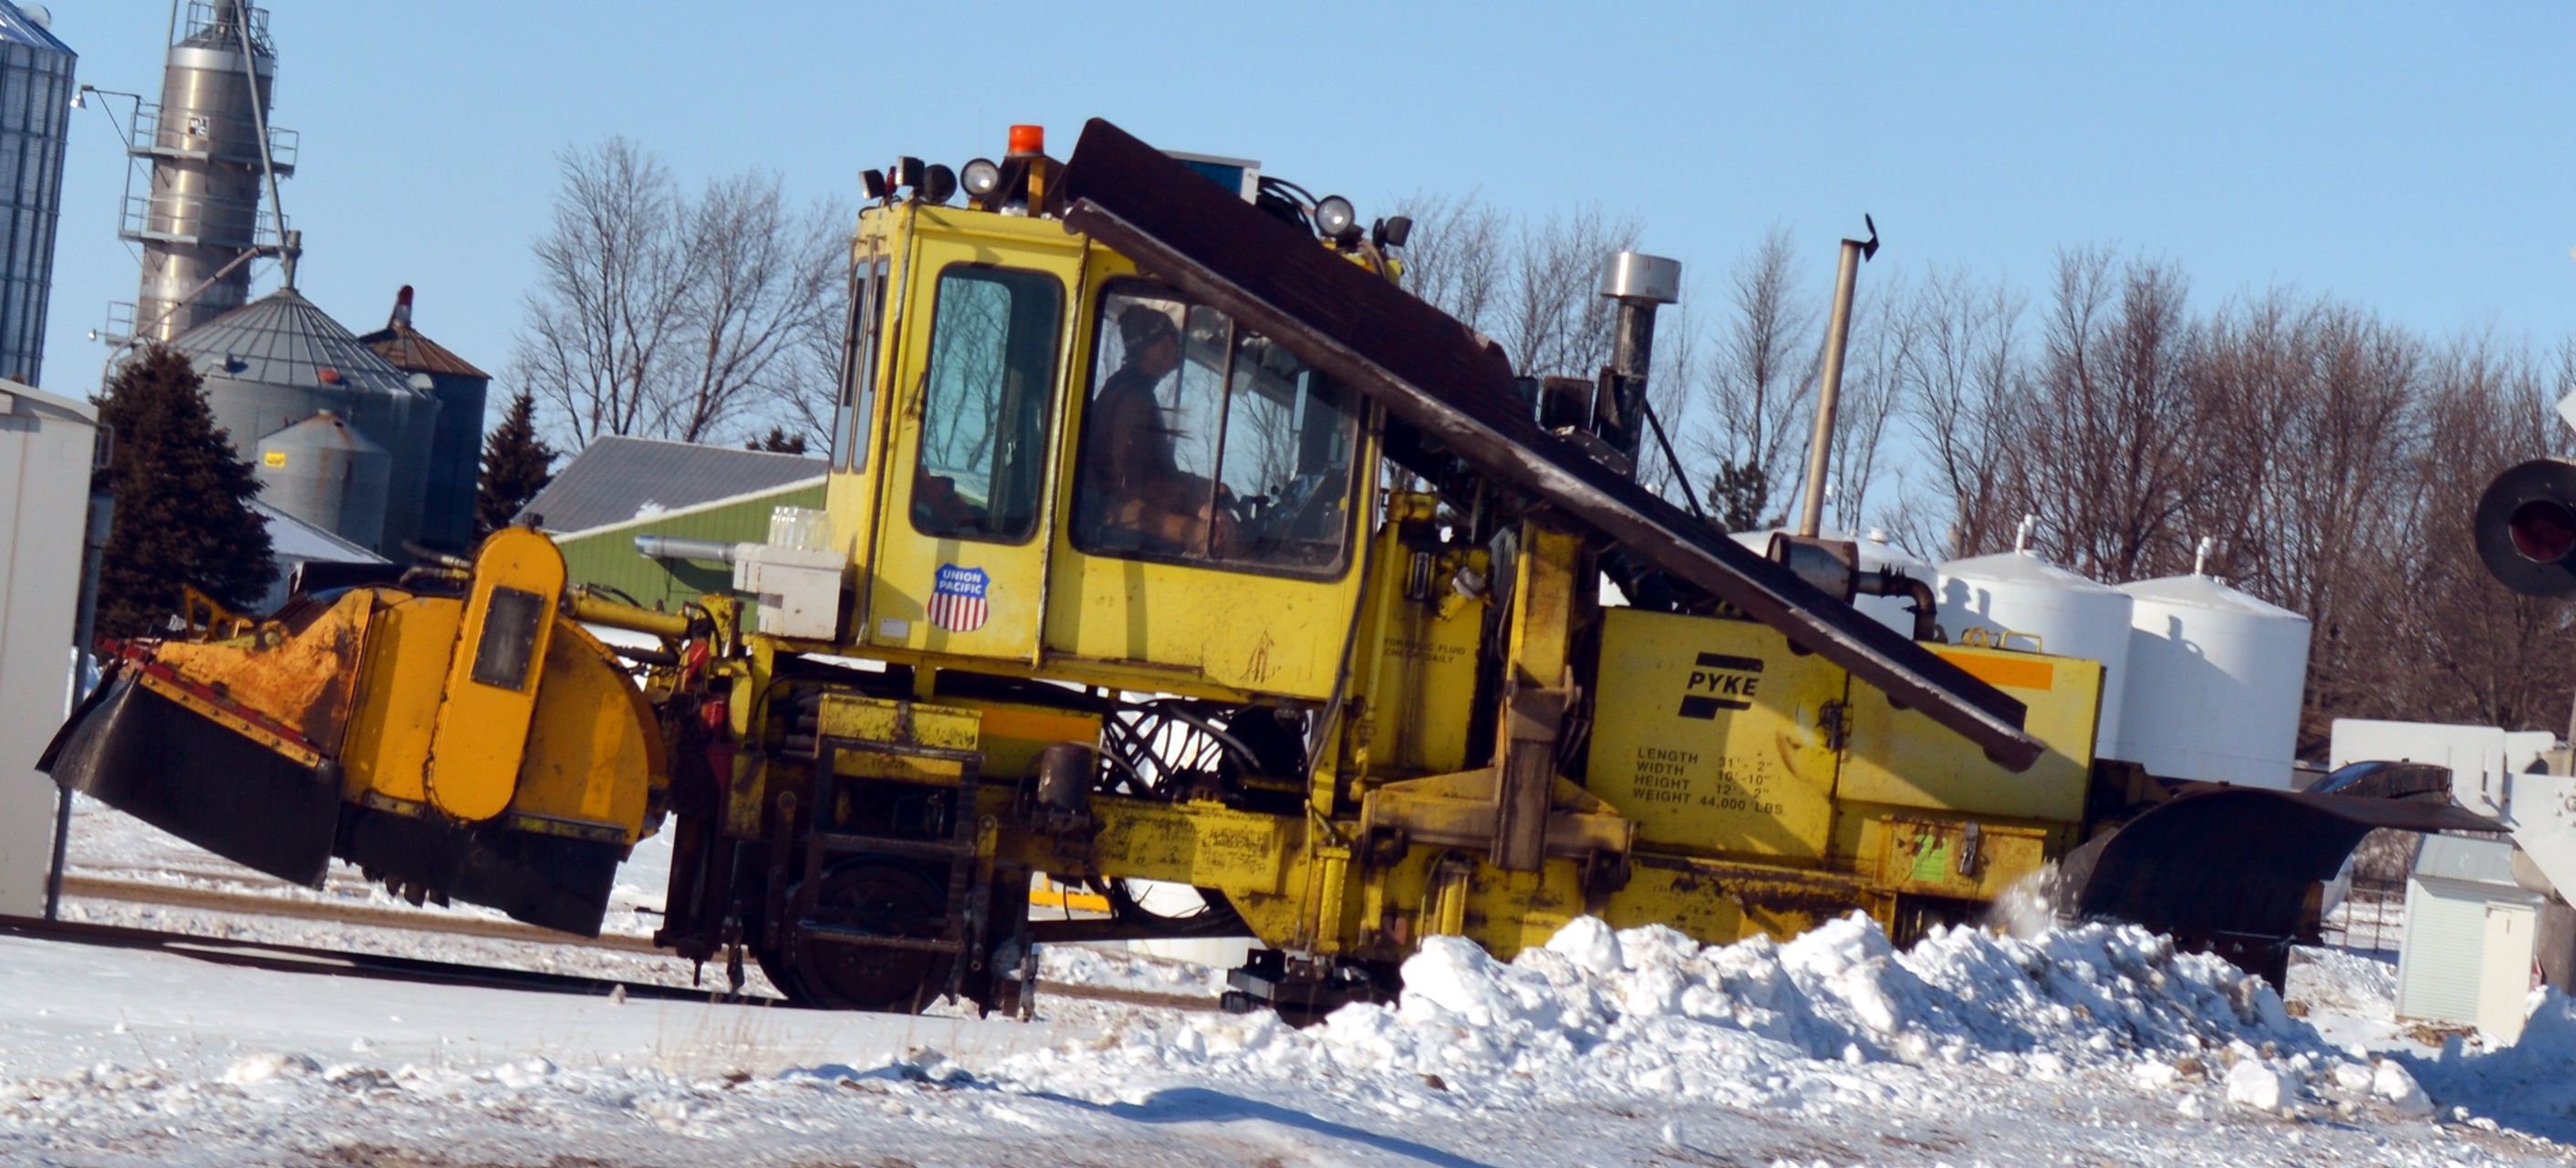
2018,594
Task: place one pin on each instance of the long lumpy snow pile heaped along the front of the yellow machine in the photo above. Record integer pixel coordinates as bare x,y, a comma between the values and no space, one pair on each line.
1650,1012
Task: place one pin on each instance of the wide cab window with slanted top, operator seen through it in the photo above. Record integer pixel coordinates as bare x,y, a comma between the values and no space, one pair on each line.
1207,442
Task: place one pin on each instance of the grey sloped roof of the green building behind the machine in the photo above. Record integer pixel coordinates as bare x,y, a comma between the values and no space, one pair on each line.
630,478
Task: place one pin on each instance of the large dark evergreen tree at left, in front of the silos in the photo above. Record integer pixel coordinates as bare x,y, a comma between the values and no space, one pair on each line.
182,501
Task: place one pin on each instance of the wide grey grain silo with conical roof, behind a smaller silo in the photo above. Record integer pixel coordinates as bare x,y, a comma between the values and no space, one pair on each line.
277,362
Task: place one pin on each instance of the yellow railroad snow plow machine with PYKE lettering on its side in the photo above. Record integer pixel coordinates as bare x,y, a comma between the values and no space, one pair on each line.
1166,540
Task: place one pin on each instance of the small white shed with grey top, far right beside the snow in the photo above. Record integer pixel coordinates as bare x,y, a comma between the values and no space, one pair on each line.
2472,937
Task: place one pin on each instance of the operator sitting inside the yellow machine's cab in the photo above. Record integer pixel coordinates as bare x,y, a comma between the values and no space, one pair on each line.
1135,491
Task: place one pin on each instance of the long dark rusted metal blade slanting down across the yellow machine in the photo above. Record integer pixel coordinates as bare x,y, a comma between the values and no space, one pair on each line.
1436,375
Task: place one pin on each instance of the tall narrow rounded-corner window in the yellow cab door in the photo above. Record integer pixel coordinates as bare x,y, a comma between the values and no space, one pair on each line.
993,360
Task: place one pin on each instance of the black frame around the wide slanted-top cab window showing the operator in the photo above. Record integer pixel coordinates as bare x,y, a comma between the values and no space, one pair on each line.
1225,411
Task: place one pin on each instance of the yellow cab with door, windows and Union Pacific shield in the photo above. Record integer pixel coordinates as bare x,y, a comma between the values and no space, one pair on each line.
1047,458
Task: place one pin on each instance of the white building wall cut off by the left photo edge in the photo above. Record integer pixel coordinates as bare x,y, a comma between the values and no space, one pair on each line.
45,468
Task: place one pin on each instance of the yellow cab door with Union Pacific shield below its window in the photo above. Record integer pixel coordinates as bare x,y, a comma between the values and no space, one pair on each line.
965,496
